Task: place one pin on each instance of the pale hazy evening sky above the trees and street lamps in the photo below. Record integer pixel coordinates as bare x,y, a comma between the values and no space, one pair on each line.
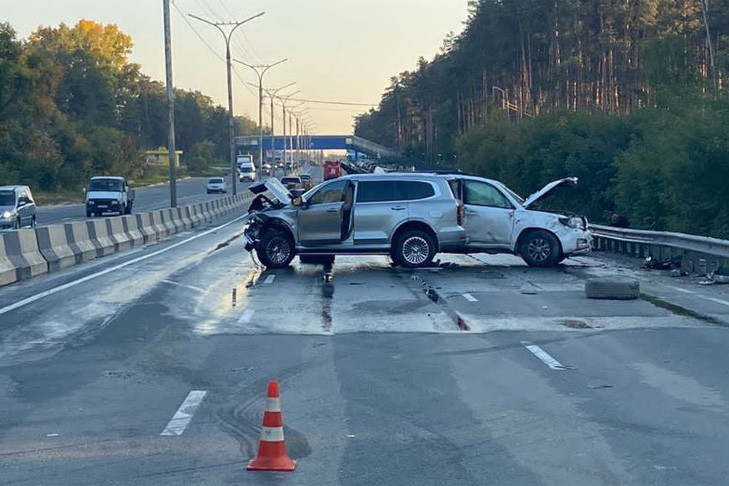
338,49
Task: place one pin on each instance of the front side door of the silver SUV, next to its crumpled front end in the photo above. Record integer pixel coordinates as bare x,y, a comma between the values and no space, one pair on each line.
320,219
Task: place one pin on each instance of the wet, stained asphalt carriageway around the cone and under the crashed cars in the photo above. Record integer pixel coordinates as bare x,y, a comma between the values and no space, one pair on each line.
501,374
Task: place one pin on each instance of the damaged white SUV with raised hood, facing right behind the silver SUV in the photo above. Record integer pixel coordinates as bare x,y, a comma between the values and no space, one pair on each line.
497,220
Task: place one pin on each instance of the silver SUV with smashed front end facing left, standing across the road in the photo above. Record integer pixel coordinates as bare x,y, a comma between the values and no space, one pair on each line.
408,216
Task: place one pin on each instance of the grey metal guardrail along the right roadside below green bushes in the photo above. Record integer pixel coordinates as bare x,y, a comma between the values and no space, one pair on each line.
695,254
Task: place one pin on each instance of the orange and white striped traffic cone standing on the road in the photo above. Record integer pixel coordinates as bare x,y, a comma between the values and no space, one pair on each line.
272,447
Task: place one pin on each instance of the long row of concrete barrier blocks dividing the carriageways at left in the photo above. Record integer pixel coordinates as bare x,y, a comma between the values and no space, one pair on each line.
26,253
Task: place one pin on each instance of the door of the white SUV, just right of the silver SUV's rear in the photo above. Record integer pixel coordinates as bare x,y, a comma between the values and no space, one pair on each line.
489,216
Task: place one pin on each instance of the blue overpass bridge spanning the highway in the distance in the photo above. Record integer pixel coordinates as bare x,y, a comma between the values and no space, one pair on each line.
317,142
